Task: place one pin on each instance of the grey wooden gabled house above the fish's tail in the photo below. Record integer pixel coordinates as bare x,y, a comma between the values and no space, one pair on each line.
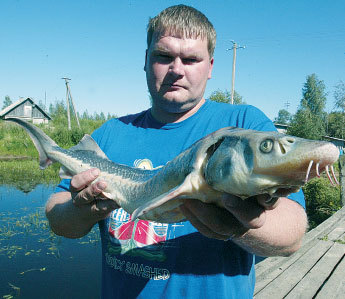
27,109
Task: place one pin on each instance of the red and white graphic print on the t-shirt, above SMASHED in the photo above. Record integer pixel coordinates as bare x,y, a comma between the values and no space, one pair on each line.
140,237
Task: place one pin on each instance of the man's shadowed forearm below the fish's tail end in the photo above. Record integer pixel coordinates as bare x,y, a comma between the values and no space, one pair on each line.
67,220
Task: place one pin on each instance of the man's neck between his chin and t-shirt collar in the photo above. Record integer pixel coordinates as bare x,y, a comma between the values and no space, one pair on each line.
168,117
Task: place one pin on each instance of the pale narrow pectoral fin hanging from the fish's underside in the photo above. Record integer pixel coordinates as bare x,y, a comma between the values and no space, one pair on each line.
179,191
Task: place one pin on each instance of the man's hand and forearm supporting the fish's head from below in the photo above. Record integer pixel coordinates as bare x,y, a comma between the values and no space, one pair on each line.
262,225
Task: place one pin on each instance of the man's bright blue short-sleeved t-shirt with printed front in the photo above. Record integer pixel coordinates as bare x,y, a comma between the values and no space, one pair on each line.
144,259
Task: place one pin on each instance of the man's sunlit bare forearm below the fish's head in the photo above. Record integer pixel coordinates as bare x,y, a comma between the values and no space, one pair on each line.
281,233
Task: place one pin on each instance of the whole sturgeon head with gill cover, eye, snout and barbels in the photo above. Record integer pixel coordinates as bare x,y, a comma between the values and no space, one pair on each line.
247,163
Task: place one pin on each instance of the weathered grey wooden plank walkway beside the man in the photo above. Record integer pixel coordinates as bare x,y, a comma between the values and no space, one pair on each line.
310,271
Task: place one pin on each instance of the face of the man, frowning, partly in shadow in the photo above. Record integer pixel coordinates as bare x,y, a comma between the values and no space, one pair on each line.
177,70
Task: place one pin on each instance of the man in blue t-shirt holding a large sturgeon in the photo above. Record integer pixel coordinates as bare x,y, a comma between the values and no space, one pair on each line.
211,254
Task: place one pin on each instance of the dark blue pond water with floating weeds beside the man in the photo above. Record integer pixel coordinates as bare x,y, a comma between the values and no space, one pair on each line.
34,262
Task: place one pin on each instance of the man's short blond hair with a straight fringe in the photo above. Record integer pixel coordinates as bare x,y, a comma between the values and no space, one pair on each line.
185,21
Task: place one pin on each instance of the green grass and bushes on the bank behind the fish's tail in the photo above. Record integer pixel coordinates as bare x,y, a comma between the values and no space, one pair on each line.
24,173
